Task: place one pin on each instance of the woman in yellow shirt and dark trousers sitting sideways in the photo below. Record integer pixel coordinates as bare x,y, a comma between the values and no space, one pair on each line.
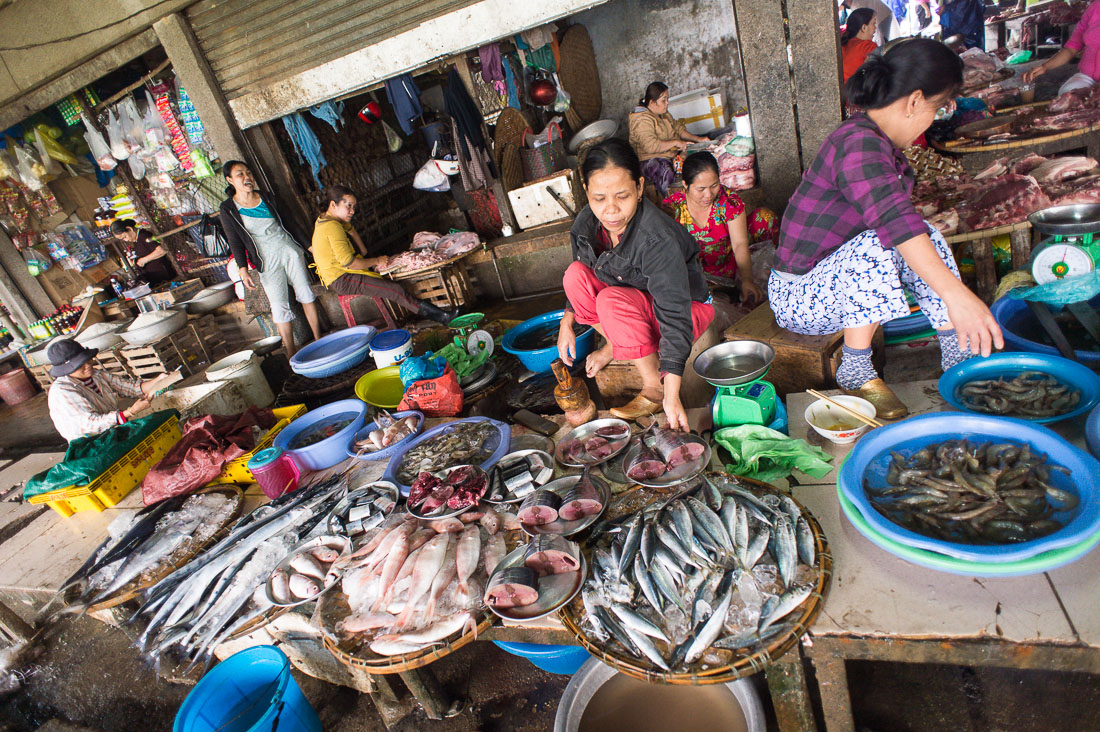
346,271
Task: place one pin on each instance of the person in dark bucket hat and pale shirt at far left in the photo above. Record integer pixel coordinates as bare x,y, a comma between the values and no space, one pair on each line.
86,400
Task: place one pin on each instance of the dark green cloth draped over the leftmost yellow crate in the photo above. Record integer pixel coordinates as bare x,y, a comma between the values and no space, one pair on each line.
90,457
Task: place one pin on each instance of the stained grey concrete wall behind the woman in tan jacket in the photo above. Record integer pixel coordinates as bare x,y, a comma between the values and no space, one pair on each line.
689,45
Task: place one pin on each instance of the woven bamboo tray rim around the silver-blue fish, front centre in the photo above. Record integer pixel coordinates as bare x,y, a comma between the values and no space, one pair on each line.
743,663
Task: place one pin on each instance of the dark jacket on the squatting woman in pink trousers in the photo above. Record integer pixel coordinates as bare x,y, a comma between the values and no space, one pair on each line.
658,257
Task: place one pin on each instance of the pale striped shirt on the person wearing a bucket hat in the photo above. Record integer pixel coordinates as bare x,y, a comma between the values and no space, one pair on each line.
79,410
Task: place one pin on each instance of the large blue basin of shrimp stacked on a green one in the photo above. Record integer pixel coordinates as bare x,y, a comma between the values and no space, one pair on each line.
867,466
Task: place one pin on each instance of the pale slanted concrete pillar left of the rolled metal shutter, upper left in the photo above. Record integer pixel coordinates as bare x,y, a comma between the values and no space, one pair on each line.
193,70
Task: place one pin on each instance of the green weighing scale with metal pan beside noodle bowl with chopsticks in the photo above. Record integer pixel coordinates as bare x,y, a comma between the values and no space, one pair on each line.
742,397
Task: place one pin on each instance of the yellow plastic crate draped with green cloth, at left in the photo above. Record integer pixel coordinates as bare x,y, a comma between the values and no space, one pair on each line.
117,482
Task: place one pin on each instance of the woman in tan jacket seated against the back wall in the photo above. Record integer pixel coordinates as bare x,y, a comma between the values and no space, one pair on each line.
657,137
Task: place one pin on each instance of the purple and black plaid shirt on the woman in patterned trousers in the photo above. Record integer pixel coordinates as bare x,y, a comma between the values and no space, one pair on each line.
860,181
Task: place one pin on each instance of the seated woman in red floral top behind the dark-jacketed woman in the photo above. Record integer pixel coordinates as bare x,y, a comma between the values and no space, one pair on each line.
716,216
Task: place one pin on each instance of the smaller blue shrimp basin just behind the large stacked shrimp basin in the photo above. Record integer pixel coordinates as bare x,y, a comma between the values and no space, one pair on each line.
1011,366
